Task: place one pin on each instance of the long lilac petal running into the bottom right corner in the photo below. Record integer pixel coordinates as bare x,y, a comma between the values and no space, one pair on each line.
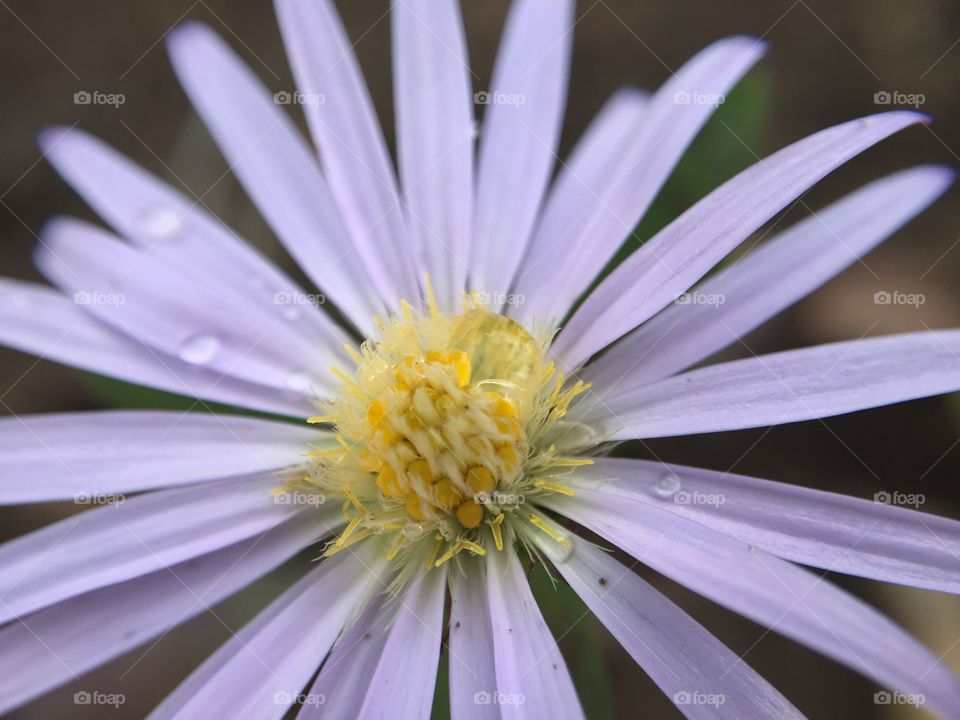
773,592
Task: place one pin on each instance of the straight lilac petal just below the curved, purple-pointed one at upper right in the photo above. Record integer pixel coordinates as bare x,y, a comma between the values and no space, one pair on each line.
768,280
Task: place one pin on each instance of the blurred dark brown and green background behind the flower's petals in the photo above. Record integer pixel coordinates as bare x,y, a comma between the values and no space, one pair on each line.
827,62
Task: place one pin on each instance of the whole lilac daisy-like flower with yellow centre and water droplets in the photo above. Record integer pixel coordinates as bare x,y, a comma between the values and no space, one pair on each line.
475,424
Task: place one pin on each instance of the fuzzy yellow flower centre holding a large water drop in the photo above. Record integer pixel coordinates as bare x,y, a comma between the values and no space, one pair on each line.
447,433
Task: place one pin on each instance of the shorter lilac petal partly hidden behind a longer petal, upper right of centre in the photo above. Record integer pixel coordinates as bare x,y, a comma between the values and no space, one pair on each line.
599,156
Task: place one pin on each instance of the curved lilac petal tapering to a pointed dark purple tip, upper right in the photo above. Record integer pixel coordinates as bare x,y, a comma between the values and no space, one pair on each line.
684,251
